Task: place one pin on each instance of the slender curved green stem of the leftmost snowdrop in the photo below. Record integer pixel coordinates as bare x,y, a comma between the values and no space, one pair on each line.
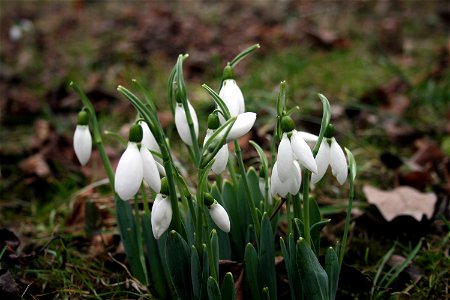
96,132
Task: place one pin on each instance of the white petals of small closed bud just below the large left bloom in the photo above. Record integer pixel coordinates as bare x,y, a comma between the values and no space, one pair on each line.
161,215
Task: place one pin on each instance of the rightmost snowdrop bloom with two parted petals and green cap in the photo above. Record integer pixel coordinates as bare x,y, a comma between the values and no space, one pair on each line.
330,153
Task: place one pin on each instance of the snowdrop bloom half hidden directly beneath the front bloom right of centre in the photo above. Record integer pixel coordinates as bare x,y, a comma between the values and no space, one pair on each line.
291,185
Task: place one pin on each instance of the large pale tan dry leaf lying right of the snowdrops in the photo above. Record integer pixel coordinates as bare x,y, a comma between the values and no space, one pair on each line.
402,200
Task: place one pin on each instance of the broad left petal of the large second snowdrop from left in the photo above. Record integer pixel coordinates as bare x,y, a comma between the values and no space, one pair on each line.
129,172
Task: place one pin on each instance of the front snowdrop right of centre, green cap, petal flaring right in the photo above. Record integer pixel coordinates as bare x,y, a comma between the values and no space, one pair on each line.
293,148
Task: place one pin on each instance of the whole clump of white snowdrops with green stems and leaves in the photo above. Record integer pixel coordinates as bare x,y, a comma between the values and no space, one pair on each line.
175,245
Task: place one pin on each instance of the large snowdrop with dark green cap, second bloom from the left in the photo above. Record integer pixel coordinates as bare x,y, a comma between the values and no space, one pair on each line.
134,166
